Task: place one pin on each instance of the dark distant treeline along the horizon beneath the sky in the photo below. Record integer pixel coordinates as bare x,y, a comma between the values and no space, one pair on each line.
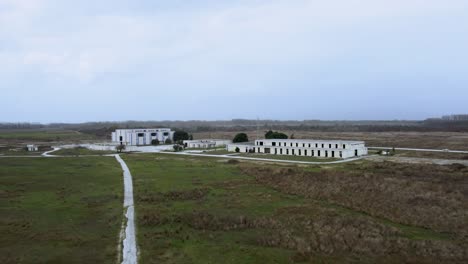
103,128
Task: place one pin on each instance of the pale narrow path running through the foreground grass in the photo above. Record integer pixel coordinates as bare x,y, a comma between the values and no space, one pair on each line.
129,250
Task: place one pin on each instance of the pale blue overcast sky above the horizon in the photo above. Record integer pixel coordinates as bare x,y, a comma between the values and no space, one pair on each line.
96,60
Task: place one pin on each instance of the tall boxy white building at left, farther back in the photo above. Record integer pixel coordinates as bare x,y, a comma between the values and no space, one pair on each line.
141,137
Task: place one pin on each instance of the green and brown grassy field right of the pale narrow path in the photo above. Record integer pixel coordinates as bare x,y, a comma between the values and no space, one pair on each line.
203,210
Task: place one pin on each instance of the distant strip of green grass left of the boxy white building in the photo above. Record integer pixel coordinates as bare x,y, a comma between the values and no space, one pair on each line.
54,135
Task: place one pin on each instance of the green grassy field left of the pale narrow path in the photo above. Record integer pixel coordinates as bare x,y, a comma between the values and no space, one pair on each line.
60,210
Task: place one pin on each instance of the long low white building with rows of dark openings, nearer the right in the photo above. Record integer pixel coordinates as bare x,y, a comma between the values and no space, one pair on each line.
304,147
